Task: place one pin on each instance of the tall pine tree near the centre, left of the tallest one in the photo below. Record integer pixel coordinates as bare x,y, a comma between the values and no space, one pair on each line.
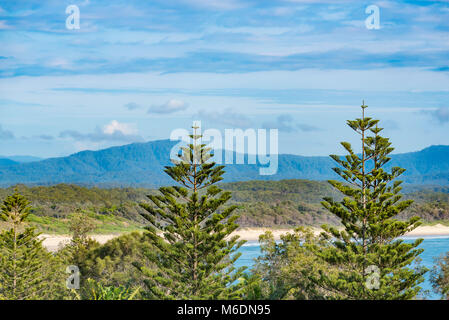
191,231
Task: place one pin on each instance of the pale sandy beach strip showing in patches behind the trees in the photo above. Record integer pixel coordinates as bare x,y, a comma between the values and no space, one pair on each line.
53,242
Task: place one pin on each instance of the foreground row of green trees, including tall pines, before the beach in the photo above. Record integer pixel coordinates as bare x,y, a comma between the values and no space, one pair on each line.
188,250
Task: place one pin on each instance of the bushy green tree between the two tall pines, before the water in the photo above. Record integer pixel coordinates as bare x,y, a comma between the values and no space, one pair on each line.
285,269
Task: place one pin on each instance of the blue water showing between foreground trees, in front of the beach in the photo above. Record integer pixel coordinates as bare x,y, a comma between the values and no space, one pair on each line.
433,247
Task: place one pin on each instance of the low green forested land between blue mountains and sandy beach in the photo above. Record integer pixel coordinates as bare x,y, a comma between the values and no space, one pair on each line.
285,203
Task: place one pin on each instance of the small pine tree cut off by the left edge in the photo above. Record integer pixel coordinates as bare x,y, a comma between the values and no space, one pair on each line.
26,267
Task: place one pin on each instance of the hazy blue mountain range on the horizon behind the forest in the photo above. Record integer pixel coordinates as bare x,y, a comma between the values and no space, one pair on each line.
142,164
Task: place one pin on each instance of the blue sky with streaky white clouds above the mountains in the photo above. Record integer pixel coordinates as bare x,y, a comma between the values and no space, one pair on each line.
135,71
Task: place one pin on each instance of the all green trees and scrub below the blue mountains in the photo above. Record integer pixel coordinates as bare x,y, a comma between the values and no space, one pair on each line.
179,245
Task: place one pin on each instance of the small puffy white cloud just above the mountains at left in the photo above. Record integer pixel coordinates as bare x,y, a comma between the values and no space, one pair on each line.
114,131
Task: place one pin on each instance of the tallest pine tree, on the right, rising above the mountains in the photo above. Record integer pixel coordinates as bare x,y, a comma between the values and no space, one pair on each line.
372,262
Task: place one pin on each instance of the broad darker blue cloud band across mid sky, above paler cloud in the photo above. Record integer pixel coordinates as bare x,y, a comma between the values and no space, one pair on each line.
213,61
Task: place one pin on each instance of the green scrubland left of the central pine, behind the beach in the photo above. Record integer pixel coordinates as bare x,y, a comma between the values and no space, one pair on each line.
113,210
